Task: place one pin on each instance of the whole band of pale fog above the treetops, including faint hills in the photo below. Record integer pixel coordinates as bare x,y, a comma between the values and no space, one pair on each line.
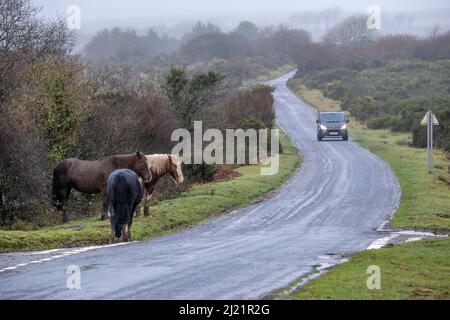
174,18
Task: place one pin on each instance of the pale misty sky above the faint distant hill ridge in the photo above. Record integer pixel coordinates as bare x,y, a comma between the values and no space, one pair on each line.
129,9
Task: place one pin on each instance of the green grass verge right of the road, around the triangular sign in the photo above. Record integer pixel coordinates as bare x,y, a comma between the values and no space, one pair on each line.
416,270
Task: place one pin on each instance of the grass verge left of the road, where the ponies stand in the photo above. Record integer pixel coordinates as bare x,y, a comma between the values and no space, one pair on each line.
194,206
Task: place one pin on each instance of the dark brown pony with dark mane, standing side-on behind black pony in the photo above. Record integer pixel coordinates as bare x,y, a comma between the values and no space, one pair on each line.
91,177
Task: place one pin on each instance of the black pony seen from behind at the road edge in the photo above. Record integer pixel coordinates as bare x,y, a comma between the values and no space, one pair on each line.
123,195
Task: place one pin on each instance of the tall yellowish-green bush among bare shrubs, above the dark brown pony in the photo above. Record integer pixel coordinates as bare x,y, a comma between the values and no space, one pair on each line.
56,97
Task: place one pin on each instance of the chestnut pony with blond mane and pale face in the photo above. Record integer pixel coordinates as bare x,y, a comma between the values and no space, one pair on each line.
160,165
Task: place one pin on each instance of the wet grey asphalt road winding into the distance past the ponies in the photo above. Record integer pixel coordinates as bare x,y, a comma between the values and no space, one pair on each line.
331,207
